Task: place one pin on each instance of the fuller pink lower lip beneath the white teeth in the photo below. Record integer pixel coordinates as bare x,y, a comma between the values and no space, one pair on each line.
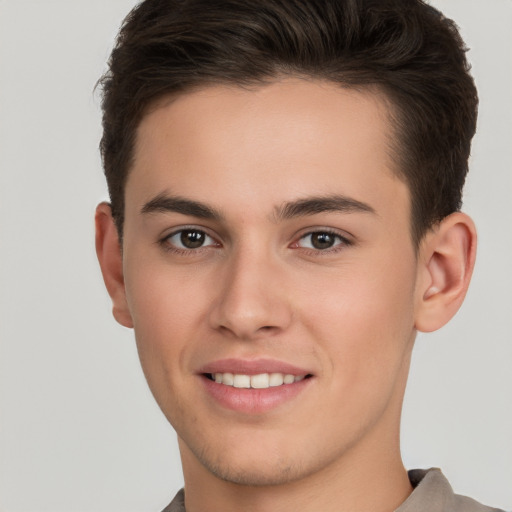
254,401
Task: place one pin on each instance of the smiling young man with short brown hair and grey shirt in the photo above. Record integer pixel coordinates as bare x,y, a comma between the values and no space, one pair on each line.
285,181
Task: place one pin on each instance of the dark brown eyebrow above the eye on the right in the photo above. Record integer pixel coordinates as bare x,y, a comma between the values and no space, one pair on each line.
315,205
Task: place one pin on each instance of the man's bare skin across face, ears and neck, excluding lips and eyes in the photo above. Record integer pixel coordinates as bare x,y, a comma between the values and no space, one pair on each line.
257,288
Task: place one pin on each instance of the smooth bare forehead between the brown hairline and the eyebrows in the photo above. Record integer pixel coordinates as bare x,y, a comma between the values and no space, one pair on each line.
279,142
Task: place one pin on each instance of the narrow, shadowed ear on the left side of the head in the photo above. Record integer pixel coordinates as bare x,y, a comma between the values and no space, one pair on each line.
108,250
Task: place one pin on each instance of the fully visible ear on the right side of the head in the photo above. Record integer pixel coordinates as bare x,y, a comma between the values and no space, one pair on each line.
446,260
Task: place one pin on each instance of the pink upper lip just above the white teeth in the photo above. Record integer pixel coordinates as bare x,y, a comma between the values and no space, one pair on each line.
252,367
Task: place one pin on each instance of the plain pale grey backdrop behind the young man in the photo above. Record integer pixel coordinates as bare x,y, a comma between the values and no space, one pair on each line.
79,430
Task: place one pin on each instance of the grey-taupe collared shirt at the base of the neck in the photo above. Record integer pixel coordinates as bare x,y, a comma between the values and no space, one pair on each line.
432,493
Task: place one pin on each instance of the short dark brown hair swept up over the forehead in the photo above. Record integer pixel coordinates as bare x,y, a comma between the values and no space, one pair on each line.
406,48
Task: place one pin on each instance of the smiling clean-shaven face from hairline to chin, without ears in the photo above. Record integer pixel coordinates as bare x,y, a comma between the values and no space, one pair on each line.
270,276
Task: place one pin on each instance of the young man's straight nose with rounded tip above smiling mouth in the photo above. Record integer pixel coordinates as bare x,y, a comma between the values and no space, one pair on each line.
251,302
